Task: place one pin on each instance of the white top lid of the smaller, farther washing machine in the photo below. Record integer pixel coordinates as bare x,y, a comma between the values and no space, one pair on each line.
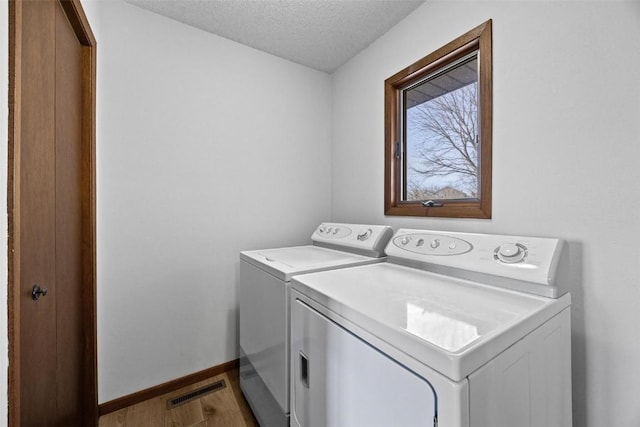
286,262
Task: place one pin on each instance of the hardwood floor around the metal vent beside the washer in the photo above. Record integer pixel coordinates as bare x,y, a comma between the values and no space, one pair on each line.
225,407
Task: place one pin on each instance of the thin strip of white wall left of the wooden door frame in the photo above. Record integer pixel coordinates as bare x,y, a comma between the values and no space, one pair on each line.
4,137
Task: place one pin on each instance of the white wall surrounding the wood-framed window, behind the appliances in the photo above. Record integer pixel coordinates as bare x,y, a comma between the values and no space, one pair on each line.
566,149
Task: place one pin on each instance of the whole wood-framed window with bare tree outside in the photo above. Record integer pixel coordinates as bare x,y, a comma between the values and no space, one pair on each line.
438,115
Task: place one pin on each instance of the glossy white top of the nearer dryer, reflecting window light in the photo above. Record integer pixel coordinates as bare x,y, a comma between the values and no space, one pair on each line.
452,325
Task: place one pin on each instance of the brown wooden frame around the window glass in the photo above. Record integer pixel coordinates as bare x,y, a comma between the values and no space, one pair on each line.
480,39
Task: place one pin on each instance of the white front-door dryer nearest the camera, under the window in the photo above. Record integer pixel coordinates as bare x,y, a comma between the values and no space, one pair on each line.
454,330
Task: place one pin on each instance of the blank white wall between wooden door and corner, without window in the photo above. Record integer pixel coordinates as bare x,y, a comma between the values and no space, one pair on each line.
205,148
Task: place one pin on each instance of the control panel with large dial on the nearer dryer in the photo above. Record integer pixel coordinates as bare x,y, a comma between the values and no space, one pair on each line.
530,261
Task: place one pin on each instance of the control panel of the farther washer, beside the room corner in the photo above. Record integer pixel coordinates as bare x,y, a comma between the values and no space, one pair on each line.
360,238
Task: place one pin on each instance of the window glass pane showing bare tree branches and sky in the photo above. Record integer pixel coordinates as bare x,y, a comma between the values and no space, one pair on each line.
441,140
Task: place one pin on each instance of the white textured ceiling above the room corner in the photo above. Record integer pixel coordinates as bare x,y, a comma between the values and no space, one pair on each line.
321,34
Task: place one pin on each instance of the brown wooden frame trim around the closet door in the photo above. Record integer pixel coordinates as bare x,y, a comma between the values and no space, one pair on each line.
80,24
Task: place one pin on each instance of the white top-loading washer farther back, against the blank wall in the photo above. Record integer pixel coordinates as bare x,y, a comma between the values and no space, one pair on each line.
263,294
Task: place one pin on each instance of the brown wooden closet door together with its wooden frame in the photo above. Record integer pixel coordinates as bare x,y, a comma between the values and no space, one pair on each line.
52,216
